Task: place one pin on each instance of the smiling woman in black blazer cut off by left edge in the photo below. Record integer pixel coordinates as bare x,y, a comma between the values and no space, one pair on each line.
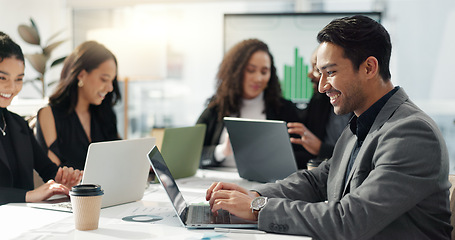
19,151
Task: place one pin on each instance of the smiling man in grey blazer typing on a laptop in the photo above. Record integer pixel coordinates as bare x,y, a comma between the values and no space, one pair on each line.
388,176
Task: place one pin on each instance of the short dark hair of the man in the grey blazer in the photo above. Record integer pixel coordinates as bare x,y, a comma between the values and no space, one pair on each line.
360,37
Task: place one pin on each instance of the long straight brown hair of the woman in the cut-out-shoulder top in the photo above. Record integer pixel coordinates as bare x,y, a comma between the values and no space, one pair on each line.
87,56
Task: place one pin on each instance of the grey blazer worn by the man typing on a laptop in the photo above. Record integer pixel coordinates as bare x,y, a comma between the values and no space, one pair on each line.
398,186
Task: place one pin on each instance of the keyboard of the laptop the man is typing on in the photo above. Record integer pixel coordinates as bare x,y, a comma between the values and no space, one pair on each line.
203,214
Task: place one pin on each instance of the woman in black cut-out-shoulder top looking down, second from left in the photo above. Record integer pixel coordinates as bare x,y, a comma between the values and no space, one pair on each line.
80,110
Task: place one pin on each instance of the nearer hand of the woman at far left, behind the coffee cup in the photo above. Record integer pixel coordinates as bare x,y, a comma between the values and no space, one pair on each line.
46,191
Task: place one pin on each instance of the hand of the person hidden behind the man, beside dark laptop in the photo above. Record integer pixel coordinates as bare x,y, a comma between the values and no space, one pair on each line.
307,139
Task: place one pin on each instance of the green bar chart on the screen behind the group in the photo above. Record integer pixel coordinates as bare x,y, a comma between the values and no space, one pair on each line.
295,84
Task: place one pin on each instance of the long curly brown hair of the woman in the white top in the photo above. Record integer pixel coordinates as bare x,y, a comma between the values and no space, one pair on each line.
228,97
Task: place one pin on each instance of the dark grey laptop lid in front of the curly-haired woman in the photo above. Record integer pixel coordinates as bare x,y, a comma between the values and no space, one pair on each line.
262,148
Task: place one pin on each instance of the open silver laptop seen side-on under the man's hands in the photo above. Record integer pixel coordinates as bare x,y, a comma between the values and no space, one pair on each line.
192,216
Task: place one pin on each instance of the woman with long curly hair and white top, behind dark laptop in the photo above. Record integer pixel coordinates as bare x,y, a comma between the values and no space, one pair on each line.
248,87
